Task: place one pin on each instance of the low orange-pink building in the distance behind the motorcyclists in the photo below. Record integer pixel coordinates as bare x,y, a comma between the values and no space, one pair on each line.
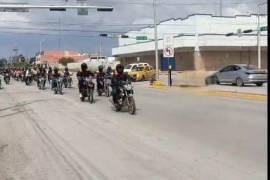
52,57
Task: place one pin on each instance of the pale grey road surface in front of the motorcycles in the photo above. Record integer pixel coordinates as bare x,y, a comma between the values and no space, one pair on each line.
173,136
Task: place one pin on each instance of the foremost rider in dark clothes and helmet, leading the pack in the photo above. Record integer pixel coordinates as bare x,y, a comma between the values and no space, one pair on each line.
117,80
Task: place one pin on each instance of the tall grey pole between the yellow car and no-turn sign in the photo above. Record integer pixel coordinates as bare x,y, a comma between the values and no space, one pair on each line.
156,39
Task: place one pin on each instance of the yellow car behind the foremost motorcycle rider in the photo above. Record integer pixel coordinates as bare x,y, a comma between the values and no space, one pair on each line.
142,73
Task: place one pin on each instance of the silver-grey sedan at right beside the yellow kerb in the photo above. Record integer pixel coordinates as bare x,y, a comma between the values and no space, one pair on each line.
238,74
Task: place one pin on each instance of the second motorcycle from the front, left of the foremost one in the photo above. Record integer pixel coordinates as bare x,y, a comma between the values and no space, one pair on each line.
88,90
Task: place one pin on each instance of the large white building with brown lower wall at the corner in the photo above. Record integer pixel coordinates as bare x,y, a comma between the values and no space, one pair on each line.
199,43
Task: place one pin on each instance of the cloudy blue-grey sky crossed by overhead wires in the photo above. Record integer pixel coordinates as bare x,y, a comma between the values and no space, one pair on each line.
41,29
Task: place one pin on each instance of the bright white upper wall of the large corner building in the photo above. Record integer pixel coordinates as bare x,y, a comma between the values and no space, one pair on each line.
198,24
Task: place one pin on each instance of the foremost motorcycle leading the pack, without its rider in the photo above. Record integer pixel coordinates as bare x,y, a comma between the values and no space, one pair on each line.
126,98
